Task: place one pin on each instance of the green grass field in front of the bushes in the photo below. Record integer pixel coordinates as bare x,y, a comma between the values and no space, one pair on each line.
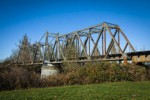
116,90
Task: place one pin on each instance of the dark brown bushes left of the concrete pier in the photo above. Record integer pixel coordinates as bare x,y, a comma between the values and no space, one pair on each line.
17,77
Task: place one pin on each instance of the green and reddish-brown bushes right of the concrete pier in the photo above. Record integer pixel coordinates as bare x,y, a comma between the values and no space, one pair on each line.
104,71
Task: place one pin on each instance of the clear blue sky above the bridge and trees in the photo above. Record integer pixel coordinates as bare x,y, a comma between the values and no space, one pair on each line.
35,17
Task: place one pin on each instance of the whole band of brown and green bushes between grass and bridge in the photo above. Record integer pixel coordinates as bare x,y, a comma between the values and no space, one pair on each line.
22,78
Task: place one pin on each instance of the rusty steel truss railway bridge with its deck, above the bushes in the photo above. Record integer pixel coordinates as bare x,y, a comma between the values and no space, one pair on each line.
102,42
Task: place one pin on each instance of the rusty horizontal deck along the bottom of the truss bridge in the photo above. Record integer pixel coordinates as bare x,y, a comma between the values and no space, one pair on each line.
139,56
